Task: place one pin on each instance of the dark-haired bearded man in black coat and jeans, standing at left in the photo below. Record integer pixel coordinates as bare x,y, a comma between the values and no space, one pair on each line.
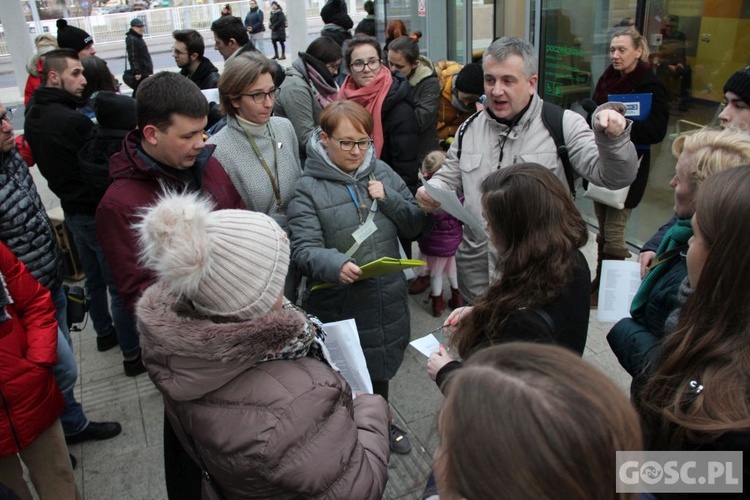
56,132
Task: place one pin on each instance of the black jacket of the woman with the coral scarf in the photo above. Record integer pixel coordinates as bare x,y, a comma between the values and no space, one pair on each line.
401,132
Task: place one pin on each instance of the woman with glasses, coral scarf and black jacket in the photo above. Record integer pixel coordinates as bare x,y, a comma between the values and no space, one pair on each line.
385,94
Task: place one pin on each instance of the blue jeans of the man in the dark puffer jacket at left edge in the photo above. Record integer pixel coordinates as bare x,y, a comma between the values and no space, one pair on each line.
66,372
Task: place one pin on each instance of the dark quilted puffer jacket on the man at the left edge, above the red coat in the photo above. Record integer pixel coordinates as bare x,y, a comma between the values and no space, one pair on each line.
24,226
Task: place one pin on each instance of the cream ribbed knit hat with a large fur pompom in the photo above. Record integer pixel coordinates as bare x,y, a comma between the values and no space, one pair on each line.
230,264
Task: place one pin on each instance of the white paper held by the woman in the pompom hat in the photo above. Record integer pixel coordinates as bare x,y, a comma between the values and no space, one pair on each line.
342,341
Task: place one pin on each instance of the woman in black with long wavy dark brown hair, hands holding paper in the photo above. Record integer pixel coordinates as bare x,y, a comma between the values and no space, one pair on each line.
542,294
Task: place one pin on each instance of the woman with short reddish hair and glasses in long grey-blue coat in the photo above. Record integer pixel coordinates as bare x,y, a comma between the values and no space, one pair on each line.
348,209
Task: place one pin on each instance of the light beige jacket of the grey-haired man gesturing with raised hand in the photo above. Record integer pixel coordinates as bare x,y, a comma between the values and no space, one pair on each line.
602,160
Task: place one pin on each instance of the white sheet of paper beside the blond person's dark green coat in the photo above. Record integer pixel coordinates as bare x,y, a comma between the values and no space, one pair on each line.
617,287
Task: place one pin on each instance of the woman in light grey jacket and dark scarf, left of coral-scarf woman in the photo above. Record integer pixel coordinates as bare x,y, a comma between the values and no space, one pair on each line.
309,86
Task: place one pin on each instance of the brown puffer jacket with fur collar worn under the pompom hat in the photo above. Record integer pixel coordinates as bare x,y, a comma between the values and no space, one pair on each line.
278,429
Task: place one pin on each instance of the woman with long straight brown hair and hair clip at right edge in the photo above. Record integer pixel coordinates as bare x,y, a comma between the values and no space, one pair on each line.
697,397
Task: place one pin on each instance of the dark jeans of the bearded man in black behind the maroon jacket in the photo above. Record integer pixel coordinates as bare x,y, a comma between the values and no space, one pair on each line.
99,279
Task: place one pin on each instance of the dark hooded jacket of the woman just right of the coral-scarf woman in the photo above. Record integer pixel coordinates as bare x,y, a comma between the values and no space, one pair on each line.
425,94
